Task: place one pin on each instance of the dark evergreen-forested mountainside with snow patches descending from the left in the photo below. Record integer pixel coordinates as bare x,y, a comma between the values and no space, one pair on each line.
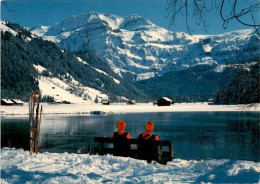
21,51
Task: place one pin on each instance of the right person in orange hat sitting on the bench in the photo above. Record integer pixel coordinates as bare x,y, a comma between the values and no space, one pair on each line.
147,149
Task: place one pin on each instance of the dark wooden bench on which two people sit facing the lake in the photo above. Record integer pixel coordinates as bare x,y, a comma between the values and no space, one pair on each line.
105,146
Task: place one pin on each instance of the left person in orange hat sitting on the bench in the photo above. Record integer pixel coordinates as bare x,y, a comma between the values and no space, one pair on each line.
121,144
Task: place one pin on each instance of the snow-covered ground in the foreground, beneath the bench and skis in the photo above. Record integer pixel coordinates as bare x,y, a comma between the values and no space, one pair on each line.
20,167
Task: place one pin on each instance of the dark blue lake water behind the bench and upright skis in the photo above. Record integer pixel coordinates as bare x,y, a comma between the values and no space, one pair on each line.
194,135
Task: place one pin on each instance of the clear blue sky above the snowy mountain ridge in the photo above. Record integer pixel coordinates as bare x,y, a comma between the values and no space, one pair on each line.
30,13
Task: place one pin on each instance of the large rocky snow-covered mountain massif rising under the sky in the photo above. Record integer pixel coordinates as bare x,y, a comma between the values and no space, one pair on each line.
137,48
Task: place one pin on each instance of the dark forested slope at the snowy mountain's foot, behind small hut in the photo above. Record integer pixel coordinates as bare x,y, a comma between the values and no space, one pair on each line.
200,80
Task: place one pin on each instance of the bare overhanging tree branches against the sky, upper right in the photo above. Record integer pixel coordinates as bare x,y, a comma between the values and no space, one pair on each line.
197,11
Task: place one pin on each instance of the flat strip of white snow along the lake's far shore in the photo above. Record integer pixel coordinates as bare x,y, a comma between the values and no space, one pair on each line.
123,108
